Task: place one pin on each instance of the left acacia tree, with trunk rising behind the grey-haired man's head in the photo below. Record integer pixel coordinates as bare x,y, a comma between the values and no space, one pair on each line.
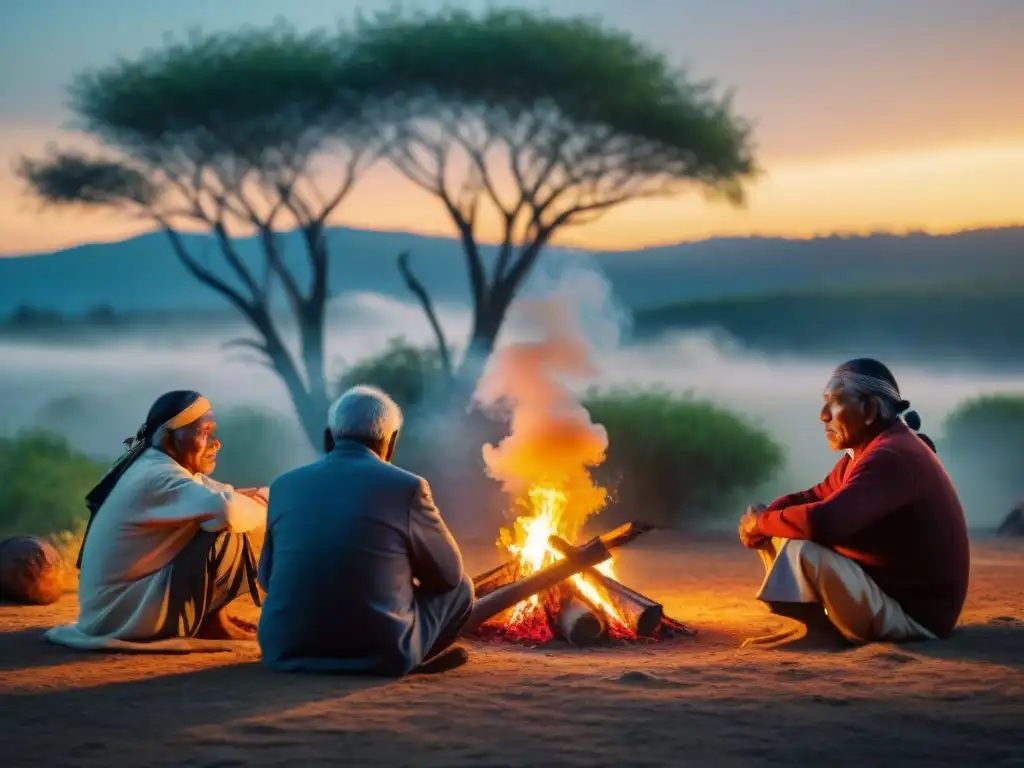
222,133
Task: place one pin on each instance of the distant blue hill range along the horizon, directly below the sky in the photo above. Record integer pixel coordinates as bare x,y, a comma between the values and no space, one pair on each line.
143,273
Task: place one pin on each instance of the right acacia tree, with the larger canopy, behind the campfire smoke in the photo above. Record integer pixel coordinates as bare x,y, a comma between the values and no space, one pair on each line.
549,122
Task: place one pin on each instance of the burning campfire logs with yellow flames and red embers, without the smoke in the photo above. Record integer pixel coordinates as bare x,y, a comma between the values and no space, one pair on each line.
589,608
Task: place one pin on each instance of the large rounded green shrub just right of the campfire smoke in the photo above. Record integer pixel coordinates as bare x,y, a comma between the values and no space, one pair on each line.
675,459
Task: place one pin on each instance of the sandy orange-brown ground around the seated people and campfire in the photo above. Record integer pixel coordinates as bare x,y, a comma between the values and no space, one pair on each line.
697,702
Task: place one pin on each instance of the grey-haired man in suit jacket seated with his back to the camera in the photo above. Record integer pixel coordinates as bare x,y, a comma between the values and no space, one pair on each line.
361,573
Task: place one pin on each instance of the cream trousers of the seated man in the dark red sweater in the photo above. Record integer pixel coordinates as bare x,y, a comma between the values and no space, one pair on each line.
800,572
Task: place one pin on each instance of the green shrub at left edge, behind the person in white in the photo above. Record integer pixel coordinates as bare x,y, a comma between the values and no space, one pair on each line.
44,483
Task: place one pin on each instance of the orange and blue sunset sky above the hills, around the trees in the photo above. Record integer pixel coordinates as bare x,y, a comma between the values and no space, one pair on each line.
870,115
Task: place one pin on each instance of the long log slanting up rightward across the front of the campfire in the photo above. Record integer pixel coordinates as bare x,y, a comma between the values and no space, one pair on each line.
595,551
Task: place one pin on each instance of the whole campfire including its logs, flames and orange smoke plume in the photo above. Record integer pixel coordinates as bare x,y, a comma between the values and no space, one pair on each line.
550,588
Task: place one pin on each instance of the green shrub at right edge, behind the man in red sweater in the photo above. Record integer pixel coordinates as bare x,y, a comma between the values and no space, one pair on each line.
983,447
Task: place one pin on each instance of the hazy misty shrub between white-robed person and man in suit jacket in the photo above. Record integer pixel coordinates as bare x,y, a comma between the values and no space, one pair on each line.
258,445
